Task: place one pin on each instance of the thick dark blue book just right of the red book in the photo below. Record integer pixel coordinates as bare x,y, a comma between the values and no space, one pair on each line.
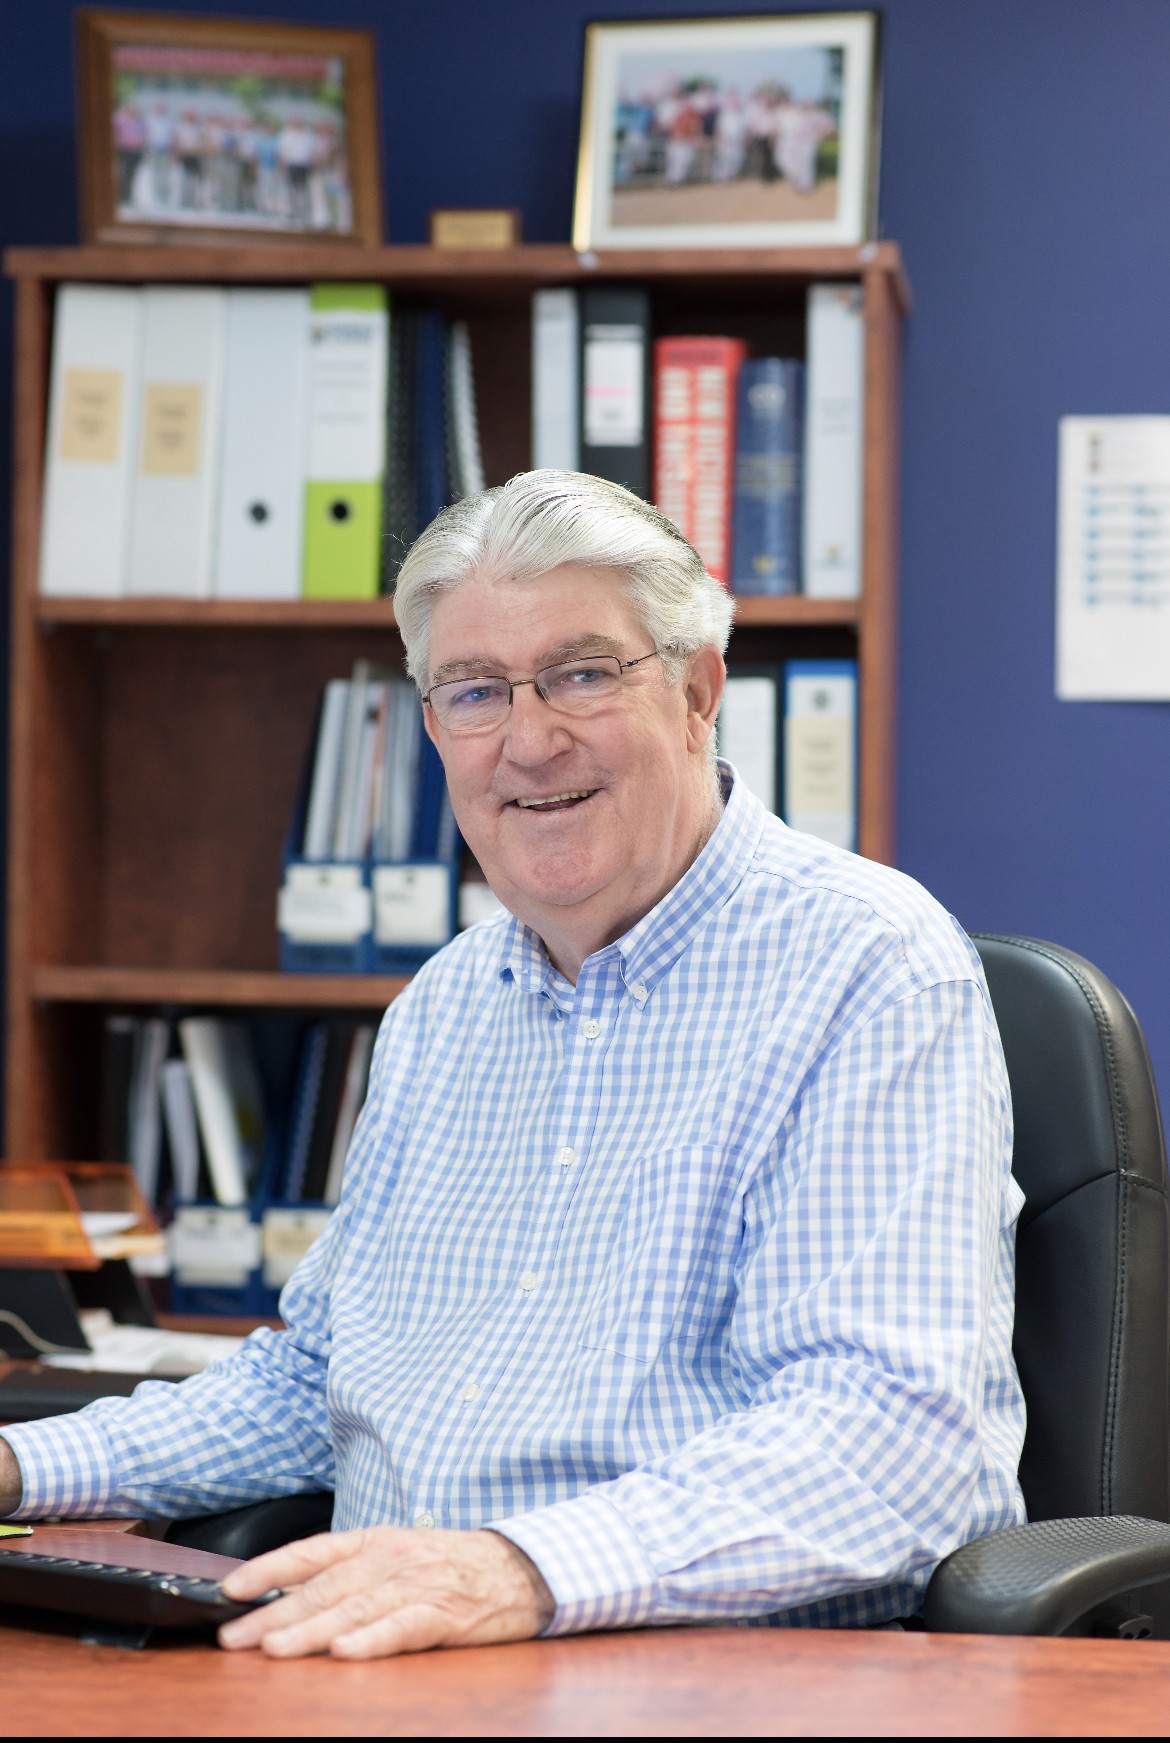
766,517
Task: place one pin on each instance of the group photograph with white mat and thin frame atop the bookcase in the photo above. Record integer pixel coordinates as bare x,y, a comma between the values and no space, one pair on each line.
730,133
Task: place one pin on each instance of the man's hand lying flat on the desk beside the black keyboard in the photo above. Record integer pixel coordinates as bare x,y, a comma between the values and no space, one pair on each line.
371,1594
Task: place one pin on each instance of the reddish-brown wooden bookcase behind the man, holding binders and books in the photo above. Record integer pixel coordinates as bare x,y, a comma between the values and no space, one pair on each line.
158,745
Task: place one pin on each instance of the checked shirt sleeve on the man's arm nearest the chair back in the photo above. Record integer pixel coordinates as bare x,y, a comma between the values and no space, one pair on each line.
869,1277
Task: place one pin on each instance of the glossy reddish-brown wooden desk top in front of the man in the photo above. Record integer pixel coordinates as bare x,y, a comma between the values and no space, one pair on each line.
662,1683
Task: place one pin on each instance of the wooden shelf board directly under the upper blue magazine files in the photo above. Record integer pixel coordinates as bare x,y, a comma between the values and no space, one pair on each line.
217,987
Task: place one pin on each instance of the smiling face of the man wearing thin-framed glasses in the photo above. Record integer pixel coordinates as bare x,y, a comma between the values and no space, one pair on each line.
588,813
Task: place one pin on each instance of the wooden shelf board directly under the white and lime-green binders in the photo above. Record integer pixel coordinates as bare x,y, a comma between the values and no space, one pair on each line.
364,614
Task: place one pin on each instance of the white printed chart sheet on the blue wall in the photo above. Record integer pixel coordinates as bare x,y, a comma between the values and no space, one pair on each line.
1113,560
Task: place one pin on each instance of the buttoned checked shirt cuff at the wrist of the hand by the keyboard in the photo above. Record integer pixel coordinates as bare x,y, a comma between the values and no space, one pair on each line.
592,1563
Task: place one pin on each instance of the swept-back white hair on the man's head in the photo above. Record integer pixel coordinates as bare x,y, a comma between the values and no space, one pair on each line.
541,520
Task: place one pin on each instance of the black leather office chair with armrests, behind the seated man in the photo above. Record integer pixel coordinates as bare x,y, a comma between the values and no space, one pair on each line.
1092,1336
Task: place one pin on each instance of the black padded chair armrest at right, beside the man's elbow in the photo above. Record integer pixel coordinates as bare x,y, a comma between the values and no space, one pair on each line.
1042,1580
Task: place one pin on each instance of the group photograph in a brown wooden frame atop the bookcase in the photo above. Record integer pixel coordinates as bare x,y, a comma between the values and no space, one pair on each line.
203,130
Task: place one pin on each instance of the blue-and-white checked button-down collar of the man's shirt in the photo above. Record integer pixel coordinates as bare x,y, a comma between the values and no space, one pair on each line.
656,942
